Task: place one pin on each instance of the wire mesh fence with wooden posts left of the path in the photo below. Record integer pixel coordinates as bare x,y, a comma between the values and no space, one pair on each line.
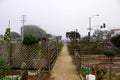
38,58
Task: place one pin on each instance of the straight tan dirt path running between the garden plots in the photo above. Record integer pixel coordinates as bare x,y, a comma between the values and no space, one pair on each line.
64,69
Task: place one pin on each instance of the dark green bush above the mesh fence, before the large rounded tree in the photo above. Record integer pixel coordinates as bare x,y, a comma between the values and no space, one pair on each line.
29,40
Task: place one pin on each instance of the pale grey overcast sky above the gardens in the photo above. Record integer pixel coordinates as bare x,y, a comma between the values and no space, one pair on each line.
59,16
